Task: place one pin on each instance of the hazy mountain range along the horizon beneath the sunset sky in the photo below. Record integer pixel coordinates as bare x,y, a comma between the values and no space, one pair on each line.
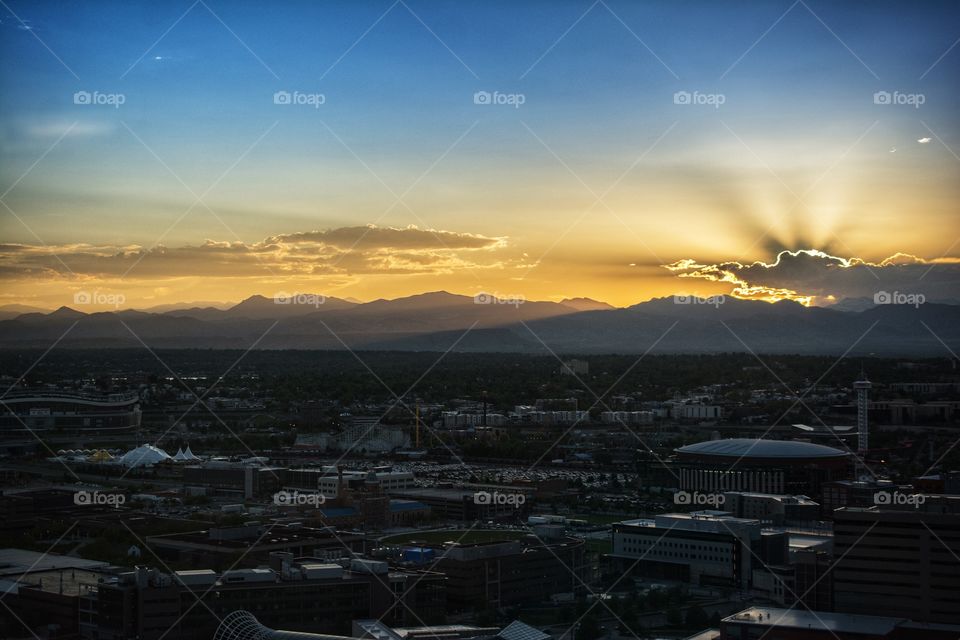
439,321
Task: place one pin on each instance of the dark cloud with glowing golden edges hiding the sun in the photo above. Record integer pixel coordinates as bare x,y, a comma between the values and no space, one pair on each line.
814,277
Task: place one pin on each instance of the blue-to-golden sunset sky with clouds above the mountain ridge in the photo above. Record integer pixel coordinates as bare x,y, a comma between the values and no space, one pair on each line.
207,151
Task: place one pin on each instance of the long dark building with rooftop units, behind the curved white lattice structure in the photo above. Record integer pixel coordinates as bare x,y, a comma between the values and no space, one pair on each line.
305,594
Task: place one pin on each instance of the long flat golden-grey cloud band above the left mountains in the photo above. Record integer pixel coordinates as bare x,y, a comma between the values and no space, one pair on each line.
342,251
